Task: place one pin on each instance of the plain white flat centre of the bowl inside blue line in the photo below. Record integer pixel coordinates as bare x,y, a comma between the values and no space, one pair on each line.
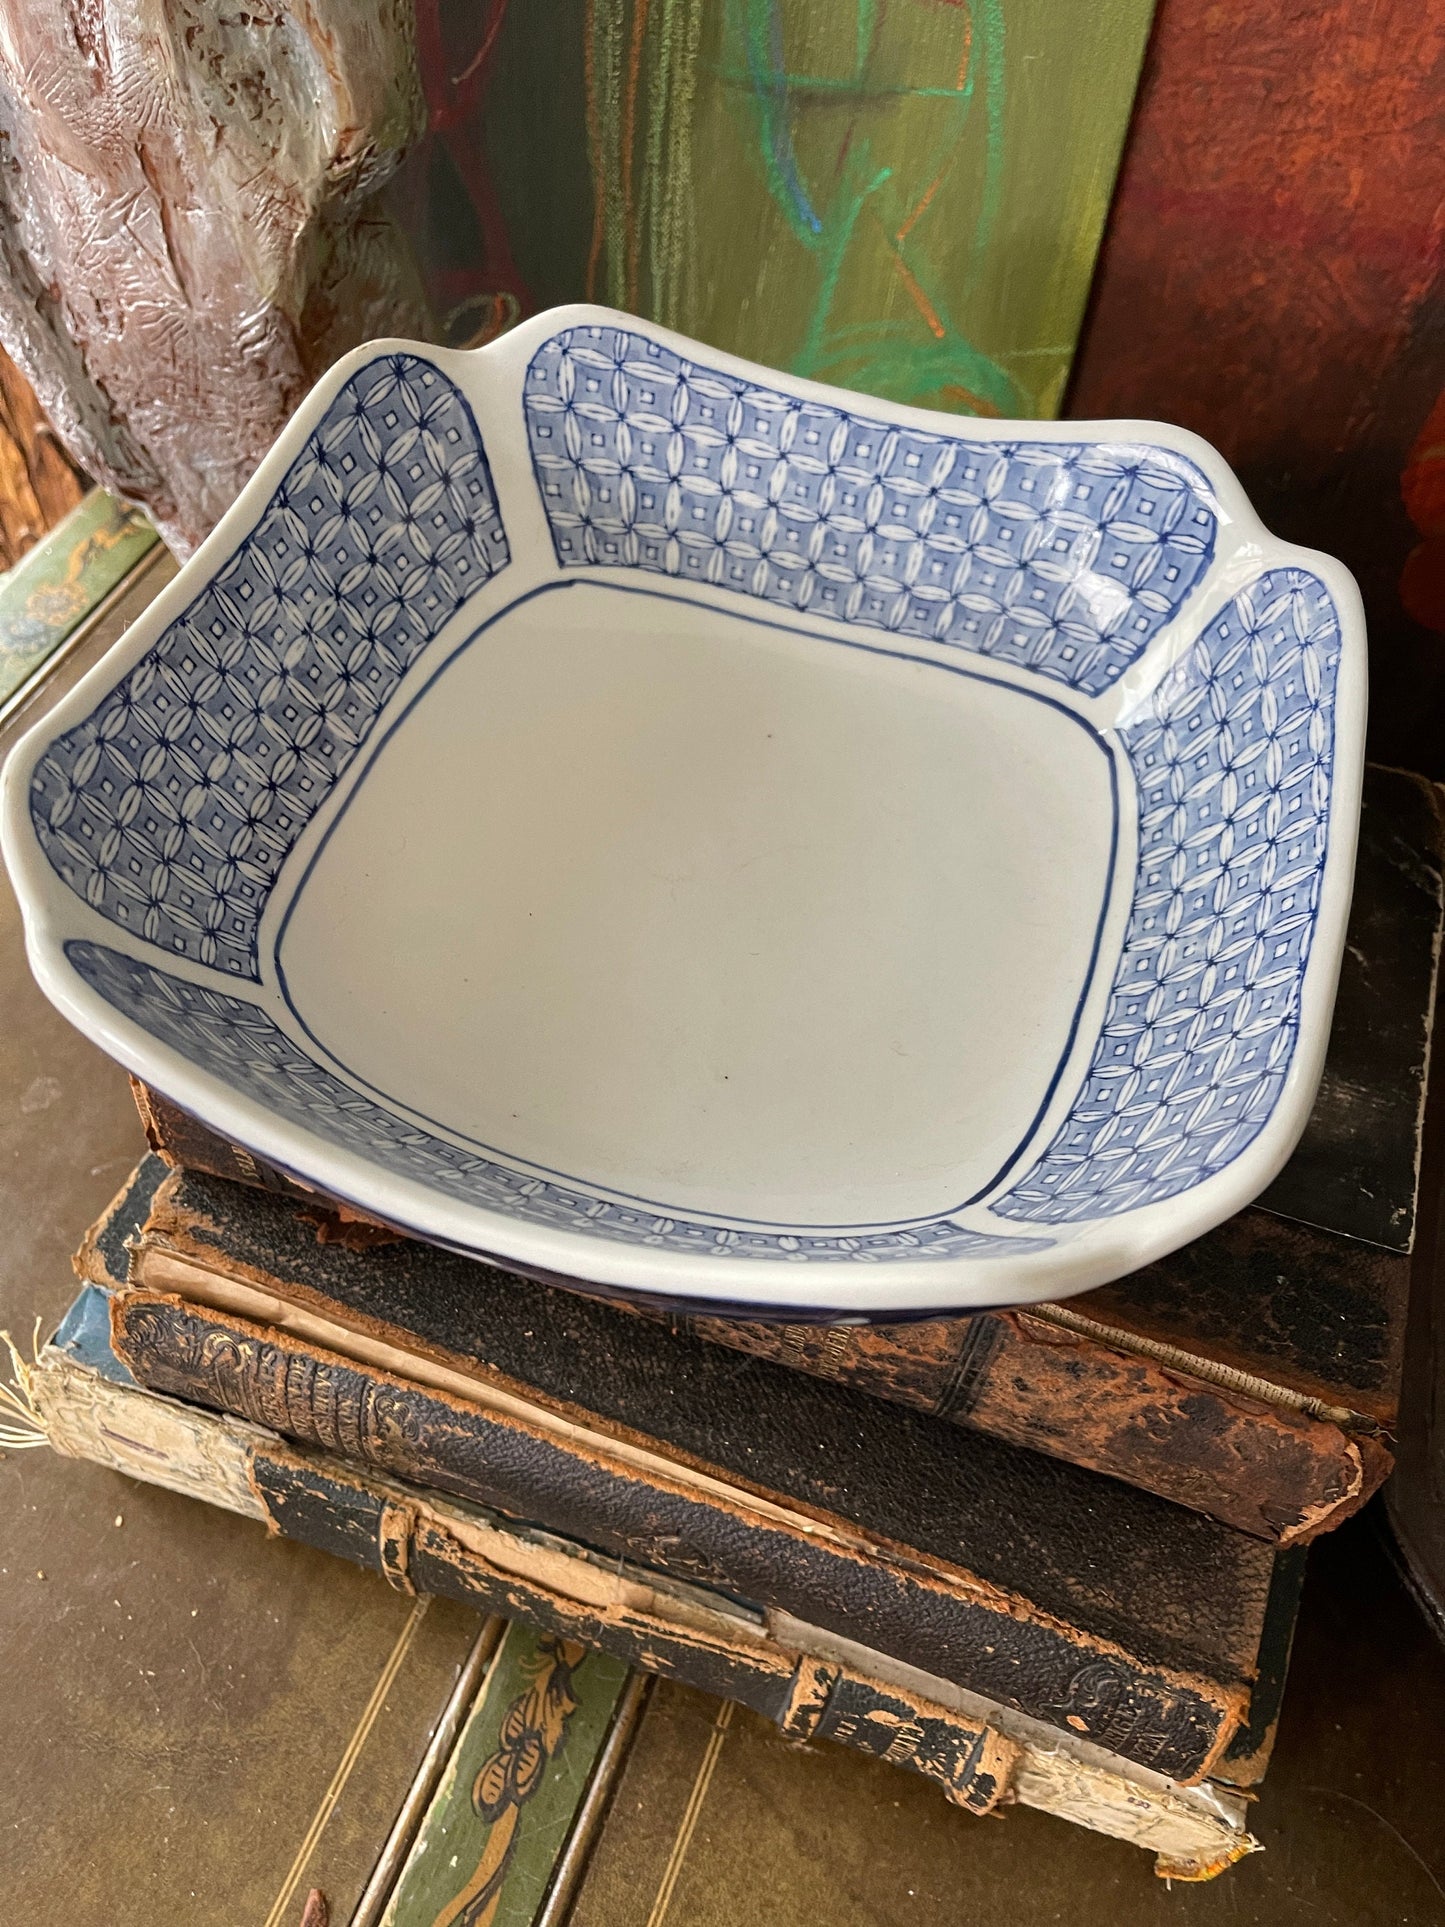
714,912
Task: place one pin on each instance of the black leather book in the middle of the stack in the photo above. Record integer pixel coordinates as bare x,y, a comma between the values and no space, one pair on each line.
1034,1583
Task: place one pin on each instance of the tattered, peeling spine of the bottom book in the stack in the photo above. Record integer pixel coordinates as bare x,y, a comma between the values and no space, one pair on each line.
421,1541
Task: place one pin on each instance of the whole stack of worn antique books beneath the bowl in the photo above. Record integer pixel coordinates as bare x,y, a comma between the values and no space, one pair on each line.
1043,1558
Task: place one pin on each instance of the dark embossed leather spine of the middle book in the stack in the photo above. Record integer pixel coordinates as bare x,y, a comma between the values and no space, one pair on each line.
822,1571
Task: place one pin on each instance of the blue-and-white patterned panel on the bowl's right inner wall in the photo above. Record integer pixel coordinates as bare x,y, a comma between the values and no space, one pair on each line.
1234,764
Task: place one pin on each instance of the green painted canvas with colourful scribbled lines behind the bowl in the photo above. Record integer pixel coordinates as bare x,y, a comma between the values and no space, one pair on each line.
905,198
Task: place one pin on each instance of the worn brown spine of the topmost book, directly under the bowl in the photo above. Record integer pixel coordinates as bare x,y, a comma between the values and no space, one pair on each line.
1217,1440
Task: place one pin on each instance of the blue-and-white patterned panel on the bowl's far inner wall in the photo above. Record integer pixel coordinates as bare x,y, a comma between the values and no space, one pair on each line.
1061,558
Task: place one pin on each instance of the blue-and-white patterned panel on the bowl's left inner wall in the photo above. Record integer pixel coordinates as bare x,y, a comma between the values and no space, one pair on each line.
174,805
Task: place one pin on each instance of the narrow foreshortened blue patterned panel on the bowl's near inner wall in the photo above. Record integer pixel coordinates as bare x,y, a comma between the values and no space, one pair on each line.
240,1045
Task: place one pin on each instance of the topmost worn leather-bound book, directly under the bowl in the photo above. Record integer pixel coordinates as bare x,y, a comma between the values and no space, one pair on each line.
1253,1375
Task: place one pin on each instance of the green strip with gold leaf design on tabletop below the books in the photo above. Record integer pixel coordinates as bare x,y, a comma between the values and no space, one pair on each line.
510,1795
